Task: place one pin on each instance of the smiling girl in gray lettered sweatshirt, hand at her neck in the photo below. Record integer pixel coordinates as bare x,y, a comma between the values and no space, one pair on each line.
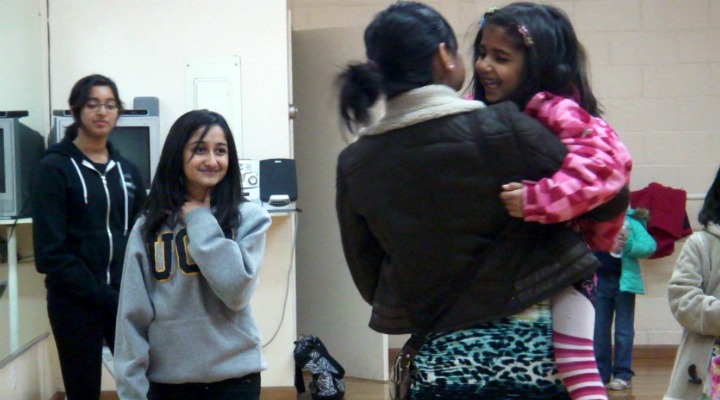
185,328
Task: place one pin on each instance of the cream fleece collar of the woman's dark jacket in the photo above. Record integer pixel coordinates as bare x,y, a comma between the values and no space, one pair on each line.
420,105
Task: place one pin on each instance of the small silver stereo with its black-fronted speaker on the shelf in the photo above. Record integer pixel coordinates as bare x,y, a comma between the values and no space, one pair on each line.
271,183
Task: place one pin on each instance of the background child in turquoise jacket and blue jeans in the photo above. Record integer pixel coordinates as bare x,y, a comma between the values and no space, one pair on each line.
618,281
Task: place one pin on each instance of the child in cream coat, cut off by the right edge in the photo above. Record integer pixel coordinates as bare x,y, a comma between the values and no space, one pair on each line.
693,292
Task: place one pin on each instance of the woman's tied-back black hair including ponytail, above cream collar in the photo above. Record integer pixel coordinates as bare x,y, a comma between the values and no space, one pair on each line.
400,44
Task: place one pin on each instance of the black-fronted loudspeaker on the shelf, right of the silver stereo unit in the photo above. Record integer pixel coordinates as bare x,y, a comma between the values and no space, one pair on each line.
278,182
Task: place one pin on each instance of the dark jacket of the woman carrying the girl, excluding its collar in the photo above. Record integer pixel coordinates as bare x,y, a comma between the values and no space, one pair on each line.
419,212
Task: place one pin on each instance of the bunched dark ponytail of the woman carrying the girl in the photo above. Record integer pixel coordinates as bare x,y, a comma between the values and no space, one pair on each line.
361,85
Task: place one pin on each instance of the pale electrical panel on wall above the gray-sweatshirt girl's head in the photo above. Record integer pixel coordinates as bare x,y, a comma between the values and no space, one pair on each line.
213,83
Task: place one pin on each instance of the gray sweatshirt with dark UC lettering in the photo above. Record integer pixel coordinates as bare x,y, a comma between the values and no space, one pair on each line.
186,316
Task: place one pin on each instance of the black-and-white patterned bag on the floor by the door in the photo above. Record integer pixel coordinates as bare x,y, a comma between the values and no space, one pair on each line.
327,374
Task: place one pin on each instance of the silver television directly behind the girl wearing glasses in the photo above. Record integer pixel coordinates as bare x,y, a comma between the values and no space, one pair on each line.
137,137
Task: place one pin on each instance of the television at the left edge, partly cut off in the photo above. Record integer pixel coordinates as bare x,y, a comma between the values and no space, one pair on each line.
21,149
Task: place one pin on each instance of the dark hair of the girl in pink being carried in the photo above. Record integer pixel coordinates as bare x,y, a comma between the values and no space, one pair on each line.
556,62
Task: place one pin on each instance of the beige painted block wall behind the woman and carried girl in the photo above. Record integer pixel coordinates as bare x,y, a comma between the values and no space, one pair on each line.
655,68
